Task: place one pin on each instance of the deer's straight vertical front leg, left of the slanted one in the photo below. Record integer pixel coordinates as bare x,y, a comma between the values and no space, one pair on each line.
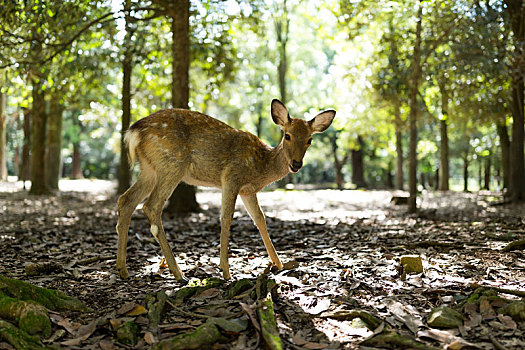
229,196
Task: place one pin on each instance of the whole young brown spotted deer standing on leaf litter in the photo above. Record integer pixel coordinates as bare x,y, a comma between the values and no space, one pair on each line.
180,145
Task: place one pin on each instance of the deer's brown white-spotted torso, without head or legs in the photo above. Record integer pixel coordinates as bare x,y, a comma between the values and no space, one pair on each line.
207,149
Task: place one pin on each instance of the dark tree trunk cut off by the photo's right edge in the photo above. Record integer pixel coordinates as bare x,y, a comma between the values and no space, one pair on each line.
516,11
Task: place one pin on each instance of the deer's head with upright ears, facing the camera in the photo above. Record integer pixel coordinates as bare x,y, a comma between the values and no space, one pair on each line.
297,133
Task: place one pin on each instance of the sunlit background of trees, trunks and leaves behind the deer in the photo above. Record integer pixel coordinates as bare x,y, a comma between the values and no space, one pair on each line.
429,94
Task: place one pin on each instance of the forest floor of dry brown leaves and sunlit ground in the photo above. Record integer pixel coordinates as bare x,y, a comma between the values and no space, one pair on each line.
341,250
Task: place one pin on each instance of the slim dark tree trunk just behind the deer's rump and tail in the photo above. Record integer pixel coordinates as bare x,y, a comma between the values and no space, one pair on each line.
124,173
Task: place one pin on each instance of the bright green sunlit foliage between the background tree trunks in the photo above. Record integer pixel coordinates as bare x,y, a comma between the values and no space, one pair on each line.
354,56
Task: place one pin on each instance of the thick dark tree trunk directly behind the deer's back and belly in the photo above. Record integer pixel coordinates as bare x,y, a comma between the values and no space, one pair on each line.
183,199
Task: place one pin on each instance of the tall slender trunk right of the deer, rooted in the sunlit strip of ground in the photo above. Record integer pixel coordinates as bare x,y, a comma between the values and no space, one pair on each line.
416,72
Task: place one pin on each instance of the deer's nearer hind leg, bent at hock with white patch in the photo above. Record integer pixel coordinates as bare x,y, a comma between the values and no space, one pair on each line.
167,181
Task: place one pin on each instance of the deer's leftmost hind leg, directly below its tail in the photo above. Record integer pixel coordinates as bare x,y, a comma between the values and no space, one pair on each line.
127,203
